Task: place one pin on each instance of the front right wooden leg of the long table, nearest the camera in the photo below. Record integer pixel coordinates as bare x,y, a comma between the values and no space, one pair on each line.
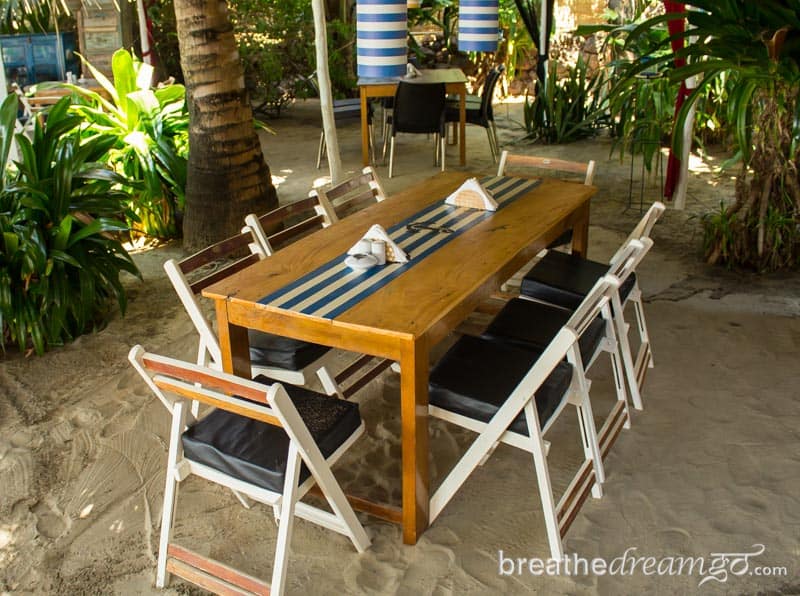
414,417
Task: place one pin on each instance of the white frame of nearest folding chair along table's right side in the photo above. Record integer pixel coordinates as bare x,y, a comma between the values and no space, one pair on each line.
590,476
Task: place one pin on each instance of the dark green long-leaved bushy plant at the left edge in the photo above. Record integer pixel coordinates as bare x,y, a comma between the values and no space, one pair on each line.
59,262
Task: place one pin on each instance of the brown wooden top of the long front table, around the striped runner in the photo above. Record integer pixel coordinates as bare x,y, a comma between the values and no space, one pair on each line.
423,300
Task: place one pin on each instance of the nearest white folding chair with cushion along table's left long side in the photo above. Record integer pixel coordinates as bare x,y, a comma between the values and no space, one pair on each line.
280,358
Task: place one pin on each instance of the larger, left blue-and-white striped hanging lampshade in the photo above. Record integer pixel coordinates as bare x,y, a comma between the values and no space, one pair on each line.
381,38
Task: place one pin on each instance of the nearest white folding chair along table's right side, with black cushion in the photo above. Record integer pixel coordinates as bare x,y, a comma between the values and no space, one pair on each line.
512,395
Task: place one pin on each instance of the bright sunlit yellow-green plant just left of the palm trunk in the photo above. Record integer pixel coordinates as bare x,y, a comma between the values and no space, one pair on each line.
151,128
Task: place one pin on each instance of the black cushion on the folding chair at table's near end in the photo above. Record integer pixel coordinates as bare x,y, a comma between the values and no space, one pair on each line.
256,452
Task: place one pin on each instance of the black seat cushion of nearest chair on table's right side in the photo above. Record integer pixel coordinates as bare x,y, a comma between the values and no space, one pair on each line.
476,376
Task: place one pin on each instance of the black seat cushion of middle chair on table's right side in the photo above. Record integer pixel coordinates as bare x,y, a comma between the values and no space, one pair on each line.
534,325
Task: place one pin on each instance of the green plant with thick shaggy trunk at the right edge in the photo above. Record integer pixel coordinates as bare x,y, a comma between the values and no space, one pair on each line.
758,43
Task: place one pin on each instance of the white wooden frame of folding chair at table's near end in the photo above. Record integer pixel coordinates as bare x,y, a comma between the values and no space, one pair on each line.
179,385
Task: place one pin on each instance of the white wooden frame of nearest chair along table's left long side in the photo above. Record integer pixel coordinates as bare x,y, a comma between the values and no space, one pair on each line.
208,348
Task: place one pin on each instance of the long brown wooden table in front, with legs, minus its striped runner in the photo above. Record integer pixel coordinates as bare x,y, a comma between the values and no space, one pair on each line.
406,317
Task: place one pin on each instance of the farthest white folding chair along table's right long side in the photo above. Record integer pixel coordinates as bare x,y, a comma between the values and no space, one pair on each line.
563,280
